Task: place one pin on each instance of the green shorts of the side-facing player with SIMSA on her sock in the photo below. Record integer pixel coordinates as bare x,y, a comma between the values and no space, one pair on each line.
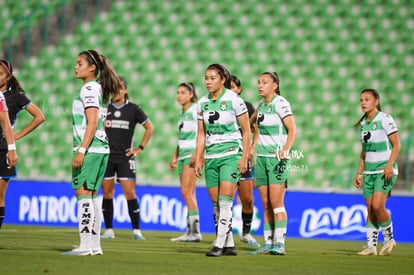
92,172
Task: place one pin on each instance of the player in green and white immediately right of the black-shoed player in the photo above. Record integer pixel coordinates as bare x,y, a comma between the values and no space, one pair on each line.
277,132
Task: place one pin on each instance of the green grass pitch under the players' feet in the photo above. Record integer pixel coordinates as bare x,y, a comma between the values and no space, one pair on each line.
37,250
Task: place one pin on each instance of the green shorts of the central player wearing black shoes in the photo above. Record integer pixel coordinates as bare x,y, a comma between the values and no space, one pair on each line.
222,169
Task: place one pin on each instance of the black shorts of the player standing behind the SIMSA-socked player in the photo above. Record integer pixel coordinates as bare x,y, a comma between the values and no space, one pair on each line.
121,166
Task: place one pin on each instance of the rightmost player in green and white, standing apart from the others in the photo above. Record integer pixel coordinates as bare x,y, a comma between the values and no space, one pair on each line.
377,169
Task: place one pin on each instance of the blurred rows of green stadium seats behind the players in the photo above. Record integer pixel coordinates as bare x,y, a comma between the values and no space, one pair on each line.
325,54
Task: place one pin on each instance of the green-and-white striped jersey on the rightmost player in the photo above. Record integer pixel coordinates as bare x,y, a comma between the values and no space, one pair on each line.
376,144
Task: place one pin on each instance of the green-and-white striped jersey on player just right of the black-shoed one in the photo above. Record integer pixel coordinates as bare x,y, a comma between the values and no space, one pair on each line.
272,131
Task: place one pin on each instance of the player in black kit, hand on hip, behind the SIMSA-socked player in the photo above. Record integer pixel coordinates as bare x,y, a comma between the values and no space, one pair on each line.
122,117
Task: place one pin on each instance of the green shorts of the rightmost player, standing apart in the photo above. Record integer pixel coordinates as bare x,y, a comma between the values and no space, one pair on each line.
376,183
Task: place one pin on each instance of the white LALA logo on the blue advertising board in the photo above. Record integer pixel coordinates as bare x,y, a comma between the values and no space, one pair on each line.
333,221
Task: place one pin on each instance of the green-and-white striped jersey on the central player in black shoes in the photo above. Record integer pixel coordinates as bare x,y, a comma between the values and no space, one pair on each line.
223,136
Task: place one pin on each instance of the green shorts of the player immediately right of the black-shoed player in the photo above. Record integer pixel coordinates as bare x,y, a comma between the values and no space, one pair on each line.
271,171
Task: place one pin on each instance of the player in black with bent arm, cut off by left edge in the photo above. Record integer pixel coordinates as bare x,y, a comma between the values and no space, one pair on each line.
16,101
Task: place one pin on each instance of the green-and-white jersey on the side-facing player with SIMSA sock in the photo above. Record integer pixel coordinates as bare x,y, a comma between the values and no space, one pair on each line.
90,96
